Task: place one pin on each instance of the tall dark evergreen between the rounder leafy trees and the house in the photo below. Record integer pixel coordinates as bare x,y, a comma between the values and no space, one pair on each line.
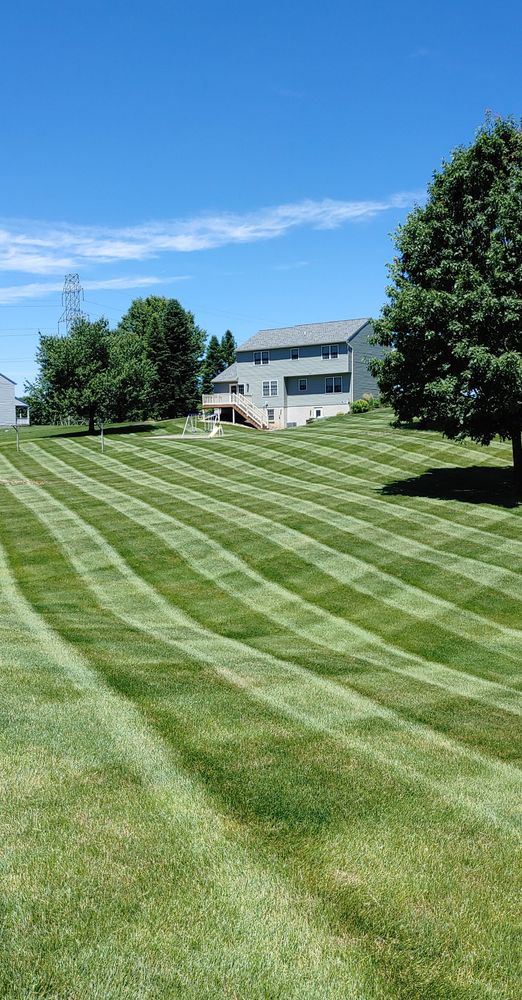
177,355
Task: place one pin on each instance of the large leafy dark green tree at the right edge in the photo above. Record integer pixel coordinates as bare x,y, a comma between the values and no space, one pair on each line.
453,321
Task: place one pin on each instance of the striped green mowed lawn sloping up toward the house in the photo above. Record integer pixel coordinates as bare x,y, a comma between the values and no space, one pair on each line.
260,716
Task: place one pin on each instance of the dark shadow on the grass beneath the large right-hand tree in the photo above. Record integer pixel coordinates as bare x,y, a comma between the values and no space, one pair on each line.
471,484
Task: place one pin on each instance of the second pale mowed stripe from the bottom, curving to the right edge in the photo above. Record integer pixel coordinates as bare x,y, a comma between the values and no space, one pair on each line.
466,779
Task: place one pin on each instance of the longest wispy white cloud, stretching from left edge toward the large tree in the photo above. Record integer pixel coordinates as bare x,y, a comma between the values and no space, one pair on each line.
37,248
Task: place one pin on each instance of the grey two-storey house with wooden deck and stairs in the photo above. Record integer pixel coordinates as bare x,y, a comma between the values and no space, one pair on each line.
283,377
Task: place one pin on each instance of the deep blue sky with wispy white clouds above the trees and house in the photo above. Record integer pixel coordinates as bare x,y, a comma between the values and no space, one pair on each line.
250,160
